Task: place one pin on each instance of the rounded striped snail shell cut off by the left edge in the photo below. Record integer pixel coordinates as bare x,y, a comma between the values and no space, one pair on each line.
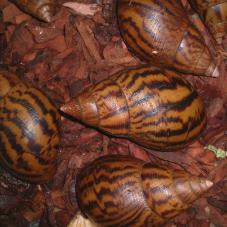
29,133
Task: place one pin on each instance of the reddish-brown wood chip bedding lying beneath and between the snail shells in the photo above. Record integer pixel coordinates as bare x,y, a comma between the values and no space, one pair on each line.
77,49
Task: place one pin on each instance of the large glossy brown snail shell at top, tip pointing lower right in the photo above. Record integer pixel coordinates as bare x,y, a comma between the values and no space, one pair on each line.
159,32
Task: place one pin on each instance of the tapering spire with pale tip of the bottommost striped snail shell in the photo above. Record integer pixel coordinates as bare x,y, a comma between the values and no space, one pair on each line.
171,191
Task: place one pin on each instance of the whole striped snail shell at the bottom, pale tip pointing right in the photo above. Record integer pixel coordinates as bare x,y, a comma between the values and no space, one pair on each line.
118,190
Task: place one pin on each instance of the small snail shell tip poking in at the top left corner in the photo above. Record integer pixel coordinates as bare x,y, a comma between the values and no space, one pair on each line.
42,9
